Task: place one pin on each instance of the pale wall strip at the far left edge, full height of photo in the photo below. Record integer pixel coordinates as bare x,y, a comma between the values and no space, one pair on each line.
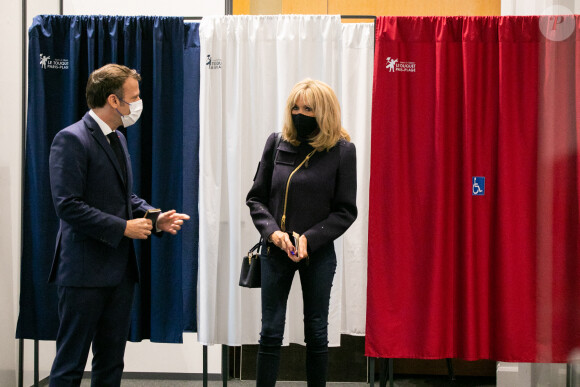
10,166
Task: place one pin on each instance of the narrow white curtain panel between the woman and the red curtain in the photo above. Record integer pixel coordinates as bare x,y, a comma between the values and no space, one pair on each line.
357,82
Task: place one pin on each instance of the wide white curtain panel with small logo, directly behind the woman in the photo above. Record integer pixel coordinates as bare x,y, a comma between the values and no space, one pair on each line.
248,66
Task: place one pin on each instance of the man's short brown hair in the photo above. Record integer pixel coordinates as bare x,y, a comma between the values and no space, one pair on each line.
107,80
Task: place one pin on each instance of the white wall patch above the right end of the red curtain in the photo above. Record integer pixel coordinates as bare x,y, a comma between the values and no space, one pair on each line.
539,7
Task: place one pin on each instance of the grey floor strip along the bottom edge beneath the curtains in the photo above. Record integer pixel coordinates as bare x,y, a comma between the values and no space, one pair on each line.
420,381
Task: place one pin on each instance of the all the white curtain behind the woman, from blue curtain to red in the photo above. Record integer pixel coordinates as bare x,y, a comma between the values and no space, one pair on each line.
249,64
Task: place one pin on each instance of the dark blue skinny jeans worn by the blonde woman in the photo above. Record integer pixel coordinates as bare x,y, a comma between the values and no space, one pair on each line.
316,275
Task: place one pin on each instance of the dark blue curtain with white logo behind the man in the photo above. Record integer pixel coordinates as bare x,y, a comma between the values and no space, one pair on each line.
63,51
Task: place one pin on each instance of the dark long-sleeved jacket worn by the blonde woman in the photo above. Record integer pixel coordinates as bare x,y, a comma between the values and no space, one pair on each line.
321,195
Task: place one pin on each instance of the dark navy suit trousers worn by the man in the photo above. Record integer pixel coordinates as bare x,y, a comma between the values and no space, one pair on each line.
100,316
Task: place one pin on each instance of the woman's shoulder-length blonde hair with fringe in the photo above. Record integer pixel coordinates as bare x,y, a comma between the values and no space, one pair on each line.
321,98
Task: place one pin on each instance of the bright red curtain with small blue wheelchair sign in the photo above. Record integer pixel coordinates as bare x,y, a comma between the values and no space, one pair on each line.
457,275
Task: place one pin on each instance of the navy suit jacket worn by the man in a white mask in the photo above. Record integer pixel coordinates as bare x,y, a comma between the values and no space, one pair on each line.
93,203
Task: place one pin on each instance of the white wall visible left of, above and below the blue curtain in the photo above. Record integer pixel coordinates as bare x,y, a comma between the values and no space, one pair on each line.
140,357
